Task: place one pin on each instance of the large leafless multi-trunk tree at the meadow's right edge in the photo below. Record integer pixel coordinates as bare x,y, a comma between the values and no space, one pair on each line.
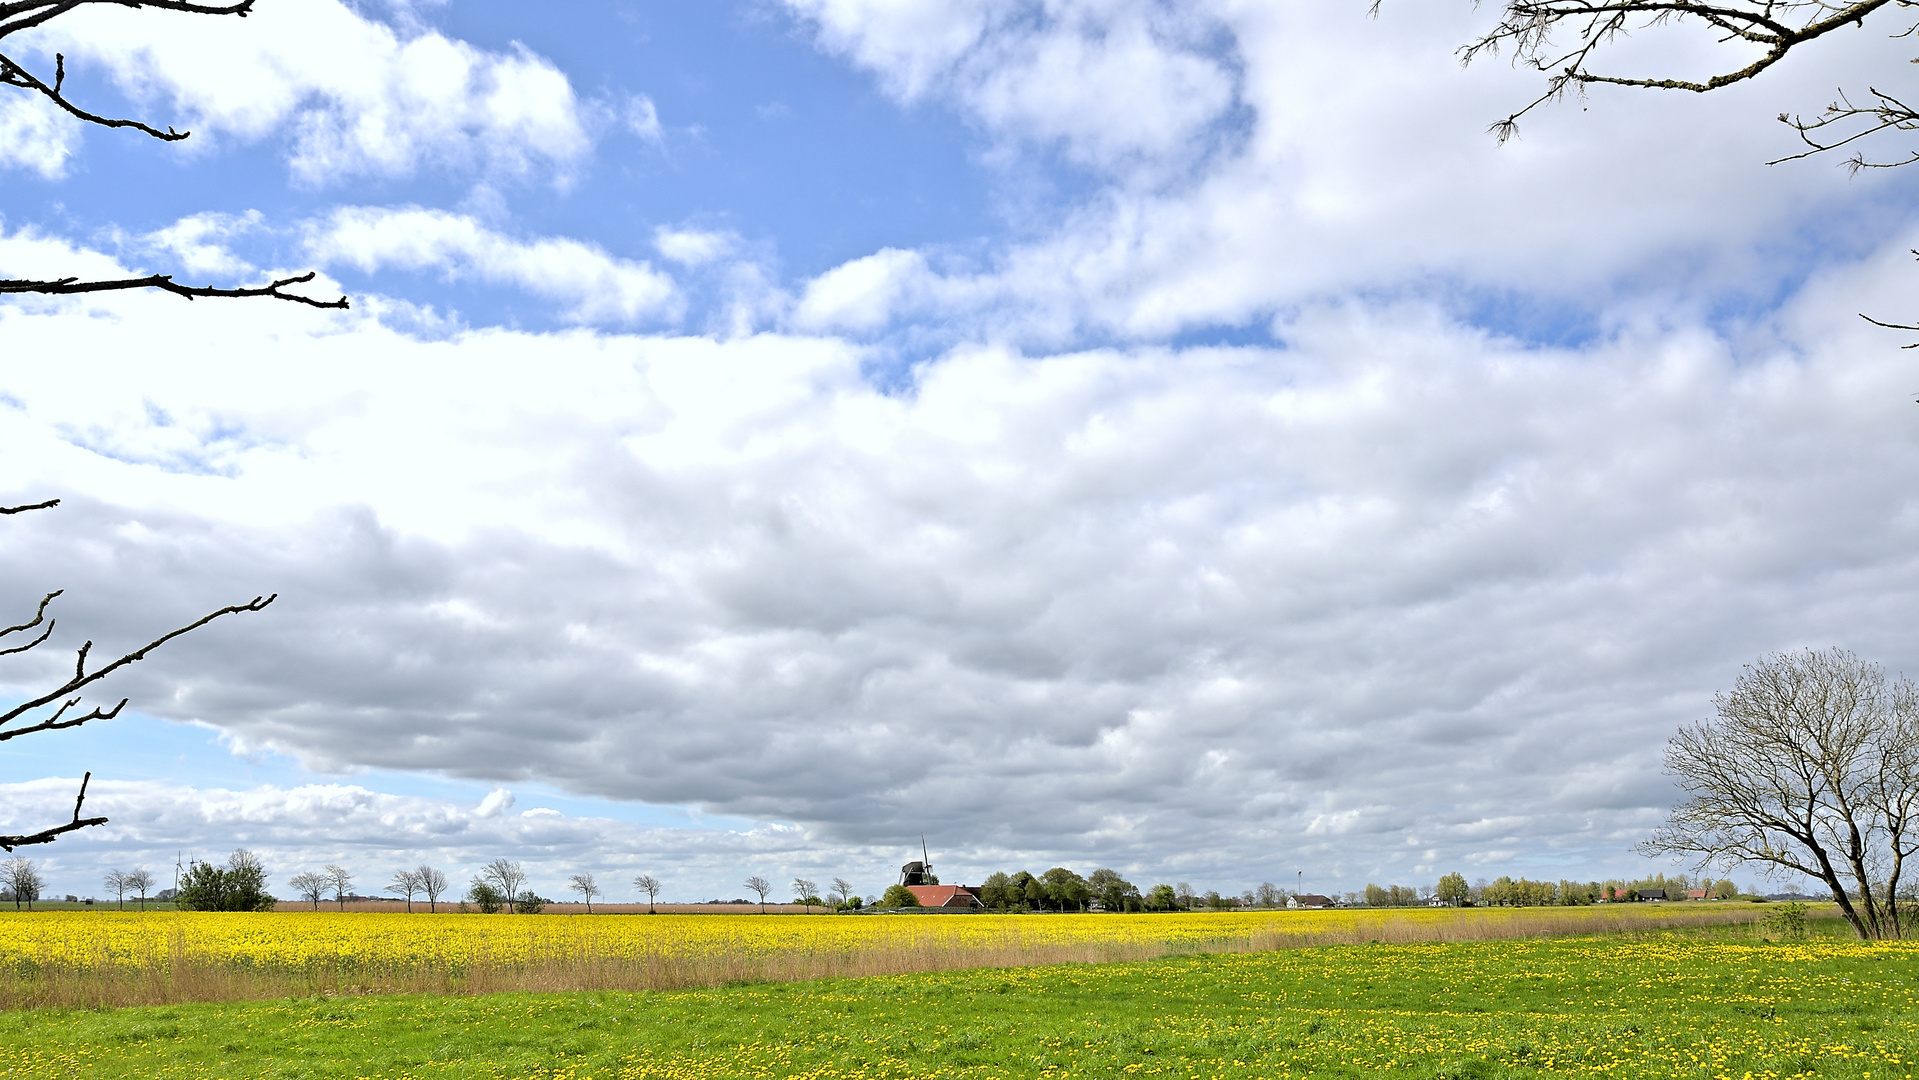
1811,766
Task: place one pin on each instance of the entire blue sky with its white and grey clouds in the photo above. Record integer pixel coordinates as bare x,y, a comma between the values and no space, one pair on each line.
1124,434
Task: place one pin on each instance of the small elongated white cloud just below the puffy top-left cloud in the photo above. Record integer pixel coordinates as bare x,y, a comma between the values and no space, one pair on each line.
598,287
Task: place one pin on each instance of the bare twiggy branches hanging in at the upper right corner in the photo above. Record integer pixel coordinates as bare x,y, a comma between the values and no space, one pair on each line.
1563,39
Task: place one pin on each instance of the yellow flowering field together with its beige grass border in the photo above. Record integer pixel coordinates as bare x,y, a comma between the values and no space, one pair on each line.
114,960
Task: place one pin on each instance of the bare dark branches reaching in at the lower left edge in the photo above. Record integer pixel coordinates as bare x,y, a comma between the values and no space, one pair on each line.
64,699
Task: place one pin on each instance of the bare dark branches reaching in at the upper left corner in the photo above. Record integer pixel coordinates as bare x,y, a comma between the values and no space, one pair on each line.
18,16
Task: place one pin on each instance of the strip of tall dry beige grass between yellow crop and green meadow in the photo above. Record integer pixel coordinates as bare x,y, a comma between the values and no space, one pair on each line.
166,972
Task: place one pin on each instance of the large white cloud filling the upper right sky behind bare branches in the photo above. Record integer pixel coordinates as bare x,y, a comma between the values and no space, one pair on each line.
1262,156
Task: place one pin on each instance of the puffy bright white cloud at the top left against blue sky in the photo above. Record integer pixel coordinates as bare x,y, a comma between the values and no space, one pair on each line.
360,99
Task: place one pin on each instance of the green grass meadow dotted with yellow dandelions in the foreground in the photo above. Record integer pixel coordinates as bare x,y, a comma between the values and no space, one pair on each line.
1688,1004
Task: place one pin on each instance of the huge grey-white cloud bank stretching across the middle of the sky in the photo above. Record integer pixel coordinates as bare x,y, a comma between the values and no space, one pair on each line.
1173,605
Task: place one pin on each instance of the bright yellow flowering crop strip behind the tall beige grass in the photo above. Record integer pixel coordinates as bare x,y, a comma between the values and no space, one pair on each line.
379,943
